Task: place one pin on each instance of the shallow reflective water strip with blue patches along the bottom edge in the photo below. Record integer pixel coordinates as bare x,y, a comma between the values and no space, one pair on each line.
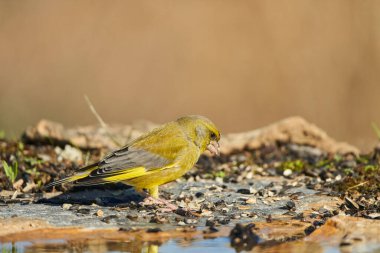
220,245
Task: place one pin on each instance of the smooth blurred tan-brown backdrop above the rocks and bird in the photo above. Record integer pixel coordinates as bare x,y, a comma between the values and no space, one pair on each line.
244,64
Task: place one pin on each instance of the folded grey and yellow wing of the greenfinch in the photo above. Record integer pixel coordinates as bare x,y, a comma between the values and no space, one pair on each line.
158,151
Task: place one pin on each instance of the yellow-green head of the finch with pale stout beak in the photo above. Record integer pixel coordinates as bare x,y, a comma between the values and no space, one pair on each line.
202,132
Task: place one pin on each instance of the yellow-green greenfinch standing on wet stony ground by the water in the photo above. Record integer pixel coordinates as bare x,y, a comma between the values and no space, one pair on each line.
155,158
